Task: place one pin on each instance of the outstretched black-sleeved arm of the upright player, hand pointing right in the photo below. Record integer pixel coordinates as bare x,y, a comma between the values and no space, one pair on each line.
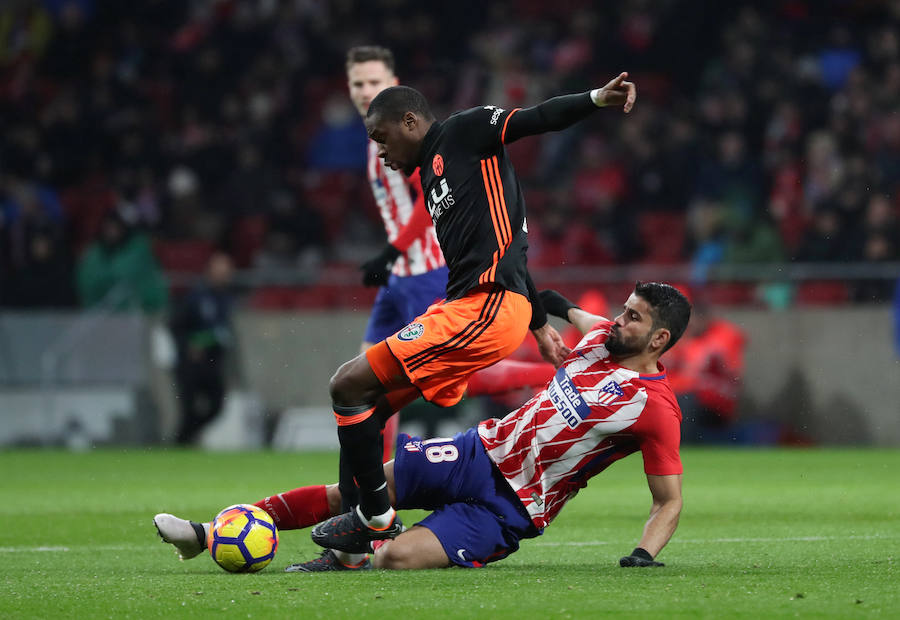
561,112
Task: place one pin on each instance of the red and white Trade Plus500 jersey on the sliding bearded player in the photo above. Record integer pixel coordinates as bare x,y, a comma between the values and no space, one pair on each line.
593,413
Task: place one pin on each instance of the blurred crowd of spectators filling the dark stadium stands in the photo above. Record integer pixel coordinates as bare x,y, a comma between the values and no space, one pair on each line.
765,132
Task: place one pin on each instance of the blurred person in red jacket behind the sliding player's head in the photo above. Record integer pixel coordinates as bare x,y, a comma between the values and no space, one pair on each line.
706,376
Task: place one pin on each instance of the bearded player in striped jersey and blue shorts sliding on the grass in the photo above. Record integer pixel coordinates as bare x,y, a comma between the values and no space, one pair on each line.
507,479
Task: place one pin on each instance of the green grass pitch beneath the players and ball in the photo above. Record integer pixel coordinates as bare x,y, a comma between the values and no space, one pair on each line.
763,533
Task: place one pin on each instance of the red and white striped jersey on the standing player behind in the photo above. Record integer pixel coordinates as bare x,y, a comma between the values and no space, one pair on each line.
398,197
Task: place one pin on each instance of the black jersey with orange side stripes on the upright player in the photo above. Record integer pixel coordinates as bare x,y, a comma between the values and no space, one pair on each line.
473,194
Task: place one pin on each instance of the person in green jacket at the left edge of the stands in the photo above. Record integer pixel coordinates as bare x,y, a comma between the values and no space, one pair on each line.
119,270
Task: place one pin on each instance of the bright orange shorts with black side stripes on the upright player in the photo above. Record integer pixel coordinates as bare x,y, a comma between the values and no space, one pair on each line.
440,349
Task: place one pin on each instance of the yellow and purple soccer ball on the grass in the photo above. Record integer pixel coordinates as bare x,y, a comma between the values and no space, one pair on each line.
242,539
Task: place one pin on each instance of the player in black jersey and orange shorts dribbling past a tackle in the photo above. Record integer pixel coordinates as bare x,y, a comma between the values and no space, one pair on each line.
477,207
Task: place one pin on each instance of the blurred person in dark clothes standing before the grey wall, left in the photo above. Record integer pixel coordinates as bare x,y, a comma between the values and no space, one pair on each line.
204,338
